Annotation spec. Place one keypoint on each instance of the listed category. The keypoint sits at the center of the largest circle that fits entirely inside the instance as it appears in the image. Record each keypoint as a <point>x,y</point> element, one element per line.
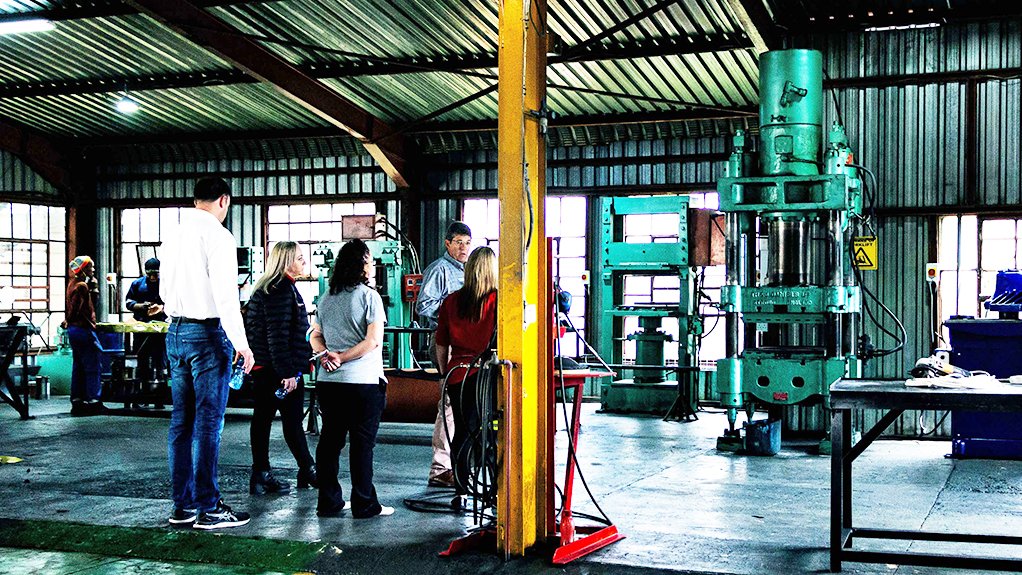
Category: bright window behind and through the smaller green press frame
<point>657,228</point>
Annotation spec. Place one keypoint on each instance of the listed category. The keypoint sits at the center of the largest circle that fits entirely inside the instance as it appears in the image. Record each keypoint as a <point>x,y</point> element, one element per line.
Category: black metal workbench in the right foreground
<point>895,398</point>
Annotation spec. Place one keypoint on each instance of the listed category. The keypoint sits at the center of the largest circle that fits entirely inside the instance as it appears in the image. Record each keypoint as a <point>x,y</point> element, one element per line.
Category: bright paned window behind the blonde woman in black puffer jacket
<point>310,225</point>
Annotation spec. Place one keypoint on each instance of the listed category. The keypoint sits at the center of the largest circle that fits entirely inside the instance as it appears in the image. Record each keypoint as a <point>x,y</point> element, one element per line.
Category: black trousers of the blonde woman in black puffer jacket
<point>292,408</point>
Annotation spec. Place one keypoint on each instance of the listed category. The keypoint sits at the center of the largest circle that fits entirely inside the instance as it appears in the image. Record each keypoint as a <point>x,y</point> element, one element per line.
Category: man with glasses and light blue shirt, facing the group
<point>440,279</point>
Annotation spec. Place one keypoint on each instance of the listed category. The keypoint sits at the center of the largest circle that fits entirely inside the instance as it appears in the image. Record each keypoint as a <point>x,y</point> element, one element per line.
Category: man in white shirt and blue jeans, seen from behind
<point>201,295</point>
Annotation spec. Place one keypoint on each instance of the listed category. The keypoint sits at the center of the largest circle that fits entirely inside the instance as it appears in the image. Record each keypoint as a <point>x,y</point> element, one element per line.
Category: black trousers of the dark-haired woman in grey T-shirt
<point>352,412</point>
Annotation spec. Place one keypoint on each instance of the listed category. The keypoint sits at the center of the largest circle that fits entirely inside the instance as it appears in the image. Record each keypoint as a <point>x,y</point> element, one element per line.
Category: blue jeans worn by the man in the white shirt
<point>200,358</point>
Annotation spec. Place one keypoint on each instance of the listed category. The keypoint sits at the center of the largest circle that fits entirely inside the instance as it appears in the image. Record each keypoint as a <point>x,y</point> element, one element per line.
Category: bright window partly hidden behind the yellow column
<point>567,225</point>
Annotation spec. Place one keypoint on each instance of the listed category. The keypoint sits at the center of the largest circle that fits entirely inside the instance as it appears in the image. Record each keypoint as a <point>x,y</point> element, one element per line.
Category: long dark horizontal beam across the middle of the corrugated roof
<point>662,47</point>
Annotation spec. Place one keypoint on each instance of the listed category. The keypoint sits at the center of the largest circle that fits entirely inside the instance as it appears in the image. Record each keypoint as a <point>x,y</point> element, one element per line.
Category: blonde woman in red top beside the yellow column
<point>467,324</point>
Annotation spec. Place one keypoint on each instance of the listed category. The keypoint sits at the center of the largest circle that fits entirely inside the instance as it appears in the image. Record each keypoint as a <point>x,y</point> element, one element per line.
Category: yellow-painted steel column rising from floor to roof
<point>525,304</point>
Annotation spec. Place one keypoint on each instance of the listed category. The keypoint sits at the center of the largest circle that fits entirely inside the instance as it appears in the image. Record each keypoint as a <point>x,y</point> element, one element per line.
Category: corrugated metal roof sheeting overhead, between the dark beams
<point>327,33</point>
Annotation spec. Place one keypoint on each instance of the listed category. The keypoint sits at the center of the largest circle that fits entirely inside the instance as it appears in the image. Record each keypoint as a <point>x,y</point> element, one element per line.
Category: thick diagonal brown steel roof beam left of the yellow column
<point>390,150</point>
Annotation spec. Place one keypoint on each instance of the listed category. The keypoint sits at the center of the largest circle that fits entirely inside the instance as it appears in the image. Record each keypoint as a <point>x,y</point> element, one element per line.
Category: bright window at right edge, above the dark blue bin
<point>971,251</point>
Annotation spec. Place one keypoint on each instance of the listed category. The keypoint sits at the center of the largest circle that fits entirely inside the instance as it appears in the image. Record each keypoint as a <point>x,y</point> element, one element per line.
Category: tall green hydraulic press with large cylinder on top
<point>791,300</point>
